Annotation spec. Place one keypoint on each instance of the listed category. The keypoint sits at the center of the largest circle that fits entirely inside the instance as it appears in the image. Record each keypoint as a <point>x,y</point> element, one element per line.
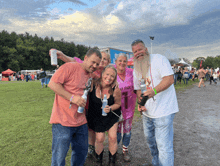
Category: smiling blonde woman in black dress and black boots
<point>99,123</point>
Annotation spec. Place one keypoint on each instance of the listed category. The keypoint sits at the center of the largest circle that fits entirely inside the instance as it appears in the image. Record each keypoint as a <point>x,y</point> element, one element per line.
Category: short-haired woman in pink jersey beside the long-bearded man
<point>128,102</point>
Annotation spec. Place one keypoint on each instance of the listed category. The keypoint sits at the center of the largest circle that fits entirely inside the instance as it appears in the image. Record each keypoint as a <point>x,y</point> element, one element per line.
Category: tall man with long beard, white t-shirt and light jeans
<point>161,106</point>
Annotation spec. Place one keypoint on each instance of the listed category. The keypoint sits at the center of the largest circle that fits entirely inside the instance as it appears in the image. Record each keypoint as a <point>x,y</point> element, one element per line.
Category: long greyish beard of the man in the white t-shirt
<point>141,67</point>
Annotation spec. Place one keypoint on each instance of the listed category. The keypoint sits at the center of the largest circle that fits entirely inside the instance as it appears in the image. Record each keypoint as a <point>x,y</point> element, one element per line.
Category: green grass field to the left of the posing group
<point>25,135</point>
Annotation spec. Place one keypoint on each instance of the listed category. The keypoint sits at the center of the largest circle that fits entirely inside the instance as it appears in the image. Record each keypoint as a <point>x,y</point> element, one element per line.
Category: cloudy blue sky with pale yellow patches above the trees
<point>181,28</point>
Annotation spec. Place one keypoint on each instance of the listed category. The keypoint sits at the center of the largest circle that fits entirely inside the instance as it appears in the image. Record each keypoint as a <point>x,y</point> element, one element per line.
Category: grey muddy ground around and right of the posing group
<point>196,131</point>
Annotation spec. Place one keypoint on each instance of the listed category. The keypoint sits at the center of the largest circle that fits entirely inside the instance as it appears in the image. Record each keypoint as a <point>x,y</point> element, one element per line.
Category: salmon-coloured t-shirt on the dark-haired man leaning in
<point>73,78</point>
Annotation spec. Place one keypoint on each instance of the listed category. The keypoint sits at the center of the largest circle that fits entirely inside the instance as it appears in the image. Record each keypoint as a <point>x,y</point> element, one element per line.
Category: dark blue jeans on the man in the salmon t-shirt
<point>62,137</point>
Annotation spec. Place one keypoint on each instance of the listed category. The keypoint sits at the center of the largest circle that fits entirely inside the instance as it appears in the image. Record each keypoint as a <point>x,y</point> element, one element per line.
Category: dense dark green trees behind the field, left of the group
<point>27,52</point>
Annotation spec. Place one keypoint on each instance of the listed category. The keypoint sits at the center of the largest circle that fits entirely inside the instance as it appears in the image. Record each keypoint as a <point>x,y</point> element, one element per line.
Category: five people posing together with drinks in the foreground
<point>86,131</point>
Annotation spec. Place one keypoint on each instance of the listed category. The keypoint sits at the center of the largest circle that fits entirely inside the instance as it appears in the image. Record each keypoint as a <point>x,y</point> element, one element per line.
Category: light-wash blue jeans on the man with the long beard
<point>159,135</point>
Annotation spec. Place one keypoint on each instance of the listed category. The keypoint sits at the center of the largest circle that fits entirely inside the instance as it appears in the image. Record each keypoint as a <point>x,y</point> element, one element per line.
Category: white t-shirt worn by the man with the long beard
<point>165,102</point>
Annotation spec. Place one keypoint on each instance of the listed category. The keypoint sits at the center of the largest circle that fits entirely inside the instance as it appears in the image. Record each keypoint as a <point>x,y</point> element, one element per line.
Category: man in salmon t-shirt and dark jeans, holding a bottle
<point>69,126</point>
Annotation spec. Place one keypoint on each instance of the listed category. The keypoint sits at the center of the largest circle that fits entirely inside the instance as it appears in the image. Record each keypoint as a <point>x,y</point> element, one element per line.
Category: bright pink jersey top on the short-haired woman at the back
<point>128,98</point>
